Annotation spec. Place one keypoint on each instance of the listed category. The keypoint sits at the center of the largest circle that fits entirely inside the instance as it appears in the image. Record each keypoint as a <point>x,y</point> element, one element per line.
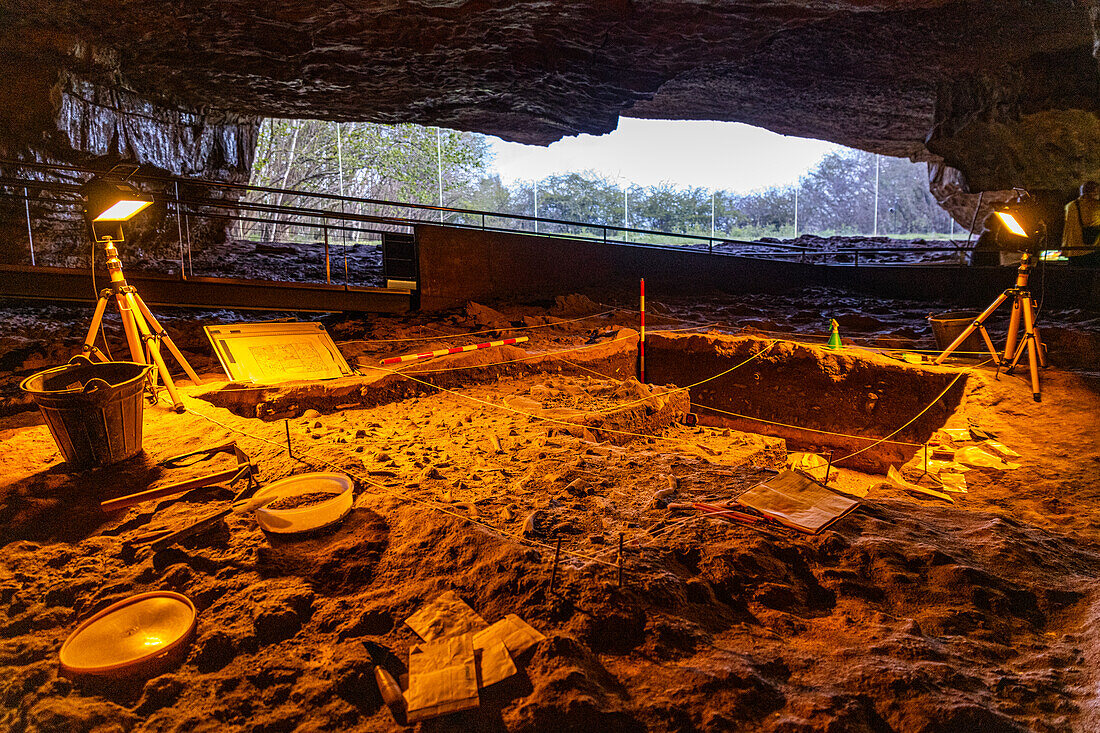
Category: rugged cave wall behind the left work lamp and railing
<point>52,115</point>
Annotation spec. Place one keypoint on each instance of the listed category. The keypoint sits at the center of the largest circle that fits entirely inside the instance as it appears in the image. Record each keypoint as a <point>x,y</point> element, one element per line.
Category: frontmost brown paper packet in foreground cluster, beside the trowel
<point>443,679</point>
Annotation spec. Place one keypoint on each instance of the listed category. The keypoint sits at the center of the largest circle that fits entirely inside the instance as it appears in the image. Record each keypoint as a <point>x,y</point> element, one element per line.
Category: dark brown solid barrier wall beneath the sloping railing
<point>470,265</point>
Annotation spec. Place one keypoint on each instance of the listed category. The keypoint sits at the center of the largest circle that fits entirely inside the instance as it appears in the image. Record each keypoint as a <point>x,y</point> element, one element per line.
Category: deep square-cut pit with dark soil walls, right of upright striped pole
<point>817,389</point>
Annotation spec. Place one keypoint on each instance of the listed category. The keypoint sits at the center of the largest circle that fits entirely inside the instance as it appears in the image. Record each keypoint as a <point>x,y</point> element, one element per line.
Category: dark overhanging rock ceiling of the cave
<point>1004,91</point>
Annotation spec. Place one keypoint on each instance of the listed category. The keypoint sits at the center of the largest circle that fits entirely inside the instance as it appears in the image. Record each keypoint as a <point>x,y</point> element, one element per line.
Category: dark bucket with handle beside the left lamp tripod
<point>94,410</point>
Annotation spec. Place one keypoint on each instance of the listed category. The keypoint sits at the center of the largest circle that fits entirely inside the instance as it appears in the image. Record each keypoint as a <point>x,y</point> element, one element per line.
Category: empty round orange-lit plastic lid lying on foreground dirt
<point>135,637</point>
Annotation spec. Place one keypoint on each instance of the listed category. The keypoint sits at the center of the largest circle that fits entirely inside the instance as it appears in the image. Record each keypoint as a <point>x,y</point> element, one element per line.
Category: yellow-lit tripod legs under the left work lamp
<point>137,323</point>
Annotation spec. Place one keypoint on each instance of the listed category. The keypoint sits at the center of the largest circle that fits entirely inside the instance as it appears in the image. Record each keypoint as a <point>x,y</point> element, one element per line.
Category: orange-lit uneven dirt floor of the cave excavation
<point>911,614</point>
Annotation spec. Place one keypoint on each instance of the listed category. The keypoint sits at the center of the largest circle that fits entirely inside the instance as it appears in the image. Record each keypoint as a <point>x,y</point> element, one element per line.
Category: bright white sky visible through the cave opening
<point>717,156</point>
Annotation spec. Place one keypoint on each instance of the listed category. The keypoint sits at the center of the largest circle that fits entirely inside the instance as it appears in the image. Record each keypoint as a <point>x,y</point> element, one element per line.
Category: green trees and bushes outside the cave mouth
<point>400,163</point>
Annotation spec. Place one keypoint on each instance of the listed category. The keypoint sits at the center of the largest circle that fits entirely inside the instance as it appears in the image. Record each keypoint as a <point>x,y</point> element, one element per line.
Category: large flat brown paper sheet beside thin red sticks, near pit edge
<point>798,502</point>
